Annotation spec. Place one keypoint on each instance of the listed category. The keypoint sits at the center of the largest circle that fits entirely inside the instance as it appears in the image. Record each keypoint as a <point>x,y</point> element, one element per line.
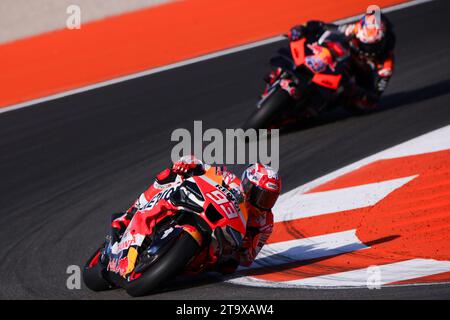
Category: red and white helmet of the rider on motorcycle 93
<point>261,186</point>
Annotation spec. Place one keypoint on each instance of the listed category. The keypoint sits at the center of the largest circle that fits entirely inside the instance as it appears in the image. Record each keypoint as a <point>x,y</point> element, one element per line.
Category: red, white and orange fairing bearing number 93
<point>210,192</point>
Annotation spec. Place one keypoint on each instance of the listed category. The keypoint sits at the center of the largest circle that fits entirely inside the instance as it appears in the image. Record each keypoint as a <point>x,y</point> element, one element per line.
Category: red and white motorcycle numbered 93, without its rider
<point>185,228</point>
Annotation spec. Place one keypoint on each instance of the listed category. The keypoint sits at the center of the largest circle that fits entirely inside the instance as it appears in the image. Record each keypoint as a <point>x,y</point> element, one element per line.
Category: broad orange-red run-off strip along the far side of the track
<point>140,40</point>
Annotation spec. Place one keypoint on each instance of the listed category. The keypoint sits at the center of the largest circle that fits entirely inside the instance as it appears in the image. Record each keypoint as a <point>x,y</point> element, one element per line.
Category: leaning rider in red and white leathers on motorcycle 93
<point>259,189</point>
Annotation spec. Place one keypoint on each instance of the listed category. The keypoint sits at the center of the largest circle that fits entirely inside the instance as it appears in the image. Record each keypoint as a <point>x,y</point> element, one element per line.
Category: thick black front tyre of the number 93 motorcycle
<point>168,266</point>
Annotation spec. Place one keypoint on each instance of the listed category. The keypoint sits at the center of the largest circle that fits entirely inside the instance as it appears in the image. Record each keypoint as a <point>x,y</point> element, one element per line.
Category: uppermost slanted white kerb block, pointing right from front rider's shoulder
<point>319,203</point>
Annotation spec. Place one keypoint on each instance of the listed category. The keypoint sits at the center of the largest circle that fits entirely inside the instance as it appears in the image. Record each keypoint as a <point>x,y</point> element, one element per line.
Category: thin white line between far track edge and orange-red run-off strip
<point>184,63</point>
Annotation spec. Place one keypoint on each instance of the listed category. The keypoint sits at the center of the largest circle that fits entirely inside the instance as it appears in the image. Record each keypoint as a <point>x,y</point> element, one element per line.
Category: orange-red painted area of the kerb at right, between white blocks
<point>411,222</point>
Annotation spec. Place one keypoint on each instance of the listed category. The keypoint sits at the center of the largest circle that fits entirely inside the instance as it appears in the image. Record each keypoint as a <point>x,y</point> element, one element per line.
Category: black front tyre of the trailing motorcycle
<point>269,111</point>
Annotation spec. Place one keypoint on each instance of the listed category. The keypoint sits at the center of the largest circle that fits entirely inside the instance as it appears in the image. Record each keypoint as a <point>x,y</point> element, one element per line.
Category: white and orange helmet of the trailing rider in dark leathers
<point>370,34</point>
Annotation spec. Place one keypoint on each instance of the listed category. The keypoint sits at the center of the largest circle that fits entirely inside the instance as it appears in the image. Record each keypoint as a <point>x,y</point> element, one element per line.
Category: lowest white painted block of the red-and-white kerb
<point>389,273</point>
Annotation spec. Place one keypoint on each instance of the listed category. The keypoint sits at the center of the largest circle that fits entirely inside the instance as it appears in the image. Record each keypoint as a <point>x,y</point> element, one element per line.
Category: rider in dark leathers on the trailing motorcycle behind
<point>372,46</point>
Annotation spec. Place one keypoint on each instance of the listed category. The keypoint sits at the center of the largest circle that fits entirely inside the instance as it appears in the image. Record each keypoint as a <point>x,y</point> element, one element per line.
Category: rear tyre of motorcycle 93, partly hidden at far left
<point>94,274</point>
